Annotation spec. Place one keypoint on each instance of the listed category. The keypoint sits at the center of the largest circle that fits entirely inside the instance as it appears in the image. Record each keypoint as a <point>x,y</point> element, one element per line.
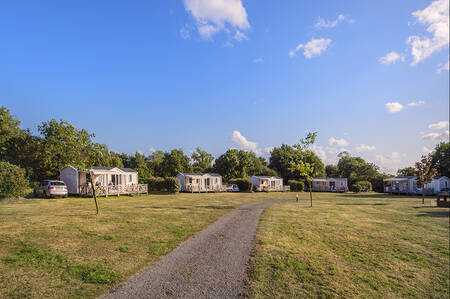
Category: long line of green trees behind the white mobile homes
<point>60,144</point>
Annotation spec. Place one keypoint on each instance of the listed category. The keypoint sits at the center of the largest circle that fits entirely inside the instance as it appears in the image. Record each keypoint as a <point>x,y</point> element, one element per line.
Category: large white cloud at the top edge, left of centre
<point>218,15</point>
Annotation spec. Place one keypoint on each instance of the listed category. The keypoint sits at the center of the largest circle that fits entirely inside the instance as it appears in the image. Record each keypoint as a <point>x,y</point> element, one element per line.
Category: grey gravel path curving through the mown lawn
<point>210,265</point>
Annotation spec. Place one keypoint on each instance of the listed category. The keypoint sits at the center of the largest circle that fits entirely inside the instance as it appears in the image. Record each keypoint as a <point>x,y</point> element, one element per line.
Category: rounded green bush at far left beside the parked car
<point>12,180</point>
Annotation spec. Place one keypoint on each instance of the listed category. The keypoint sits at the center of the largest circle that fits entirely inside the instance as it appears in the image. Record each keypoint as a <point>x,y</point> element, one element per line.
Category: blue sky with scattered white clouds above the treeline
<point>254,74</point>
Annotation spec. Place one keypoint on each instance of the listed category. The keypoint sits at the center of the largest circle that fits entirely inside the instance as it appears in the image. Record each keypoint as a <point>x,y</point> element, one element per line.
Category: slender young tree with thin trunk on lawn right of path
<point>303,167</point>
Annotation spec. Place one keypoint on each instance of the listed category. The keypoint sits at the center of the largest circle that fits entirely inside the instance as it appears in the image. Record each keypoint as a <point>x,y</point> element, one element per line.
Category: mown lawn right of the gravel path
<point>366,246</point>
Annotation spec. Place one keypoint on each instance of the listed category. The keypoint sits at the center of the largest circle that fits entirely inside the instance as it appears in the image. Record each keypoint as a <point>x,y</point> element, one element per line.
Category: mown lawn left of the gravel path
<point>59,248</point>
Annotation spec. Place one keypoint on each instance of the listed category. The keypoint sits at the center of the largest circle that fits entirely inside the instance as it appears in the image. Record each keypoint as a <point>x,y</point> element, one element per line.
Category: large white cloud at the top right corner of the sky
<point>436,17</point>
